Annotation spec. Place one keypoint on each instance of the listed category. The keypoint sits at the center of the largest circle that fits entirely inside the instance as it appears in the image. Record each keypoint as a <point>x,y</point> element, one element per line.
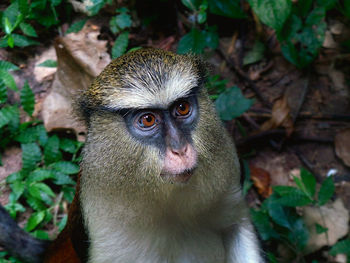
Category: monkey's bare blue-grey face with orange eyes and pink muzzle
<point>170,130</point>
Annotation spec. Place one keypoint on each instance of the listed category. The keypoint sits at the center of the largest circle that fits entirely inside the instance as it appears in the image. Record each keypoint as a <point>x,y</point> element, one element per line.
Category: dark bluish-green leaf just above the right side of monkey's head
<point>194,41</point>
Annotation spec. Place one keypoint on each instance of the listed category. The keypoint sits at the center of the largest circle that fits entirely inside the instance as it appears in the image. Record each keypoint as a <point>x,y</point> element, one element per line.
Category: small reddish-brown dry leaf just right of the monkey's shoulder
<point>262,181</point>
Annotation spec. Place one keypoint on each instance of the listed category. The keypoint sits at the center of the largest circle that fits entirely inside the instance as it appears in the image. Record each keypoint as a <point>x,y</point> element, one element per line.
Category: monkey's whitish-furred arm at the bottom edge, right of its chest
<point>242,245</point>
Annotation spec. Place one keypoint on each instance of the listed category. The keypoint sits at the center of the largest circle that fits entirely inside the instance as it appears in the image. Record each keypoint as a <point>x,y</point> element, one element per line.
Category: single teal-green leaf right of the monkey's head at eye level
<point>231,104</point>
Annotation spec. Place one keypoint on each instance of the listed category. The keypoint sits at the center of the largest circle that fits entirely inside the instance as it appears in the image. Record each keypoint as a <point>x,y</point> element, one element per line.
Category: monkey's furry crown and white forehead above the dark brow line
<point>146,78</point>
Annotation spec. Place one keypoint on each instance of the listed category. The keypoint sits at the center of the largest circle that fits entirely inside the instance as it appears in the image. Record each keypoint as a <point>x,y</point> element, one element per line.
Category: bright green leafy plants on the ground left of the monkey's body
<point>48,162</point>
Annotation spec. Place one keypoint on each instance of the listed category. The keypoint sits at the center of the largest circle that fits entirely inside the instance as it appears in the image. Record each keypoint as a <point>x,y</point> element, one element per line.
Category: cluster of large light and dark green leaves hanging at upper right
<point>300,26</point>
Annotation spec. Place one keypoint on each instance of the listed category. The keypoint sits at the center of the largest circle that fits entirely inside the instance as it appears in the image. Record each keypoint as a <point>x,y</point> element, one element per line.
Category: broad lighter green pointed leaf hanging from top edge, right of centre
<point>272,12</point>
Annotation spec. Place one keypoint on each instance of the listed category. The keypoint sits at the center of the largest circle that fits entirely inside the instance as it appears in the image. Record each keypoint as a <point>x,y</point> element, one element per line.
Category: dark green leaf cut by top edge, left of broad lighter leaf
<point>229,8</point>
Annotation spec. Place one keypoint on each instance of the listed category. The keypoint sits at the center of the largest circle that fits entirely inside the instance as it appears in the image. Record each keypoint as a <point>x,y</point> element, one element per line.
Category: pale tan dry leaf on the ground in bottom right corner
<point>333,216</point>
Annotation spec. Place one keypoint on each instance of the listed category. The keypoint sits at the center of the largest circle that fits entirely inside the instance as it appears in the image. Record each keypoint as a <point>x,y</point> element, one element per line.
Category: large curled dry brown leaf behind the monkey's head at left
<point>80,58</point>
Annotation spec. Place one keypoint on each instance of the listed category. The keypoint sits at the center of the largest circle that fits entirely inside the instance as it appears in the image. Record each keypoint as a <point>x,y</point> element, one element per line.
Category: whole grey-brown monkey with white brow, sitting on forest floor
<point>160,178</point>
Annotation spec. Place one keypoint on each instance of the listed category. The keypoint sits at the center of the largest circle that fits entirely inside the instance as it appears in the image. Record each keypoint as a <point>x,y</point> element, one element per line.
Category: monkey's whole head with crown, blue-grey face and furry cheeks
<point>151,122</point>
